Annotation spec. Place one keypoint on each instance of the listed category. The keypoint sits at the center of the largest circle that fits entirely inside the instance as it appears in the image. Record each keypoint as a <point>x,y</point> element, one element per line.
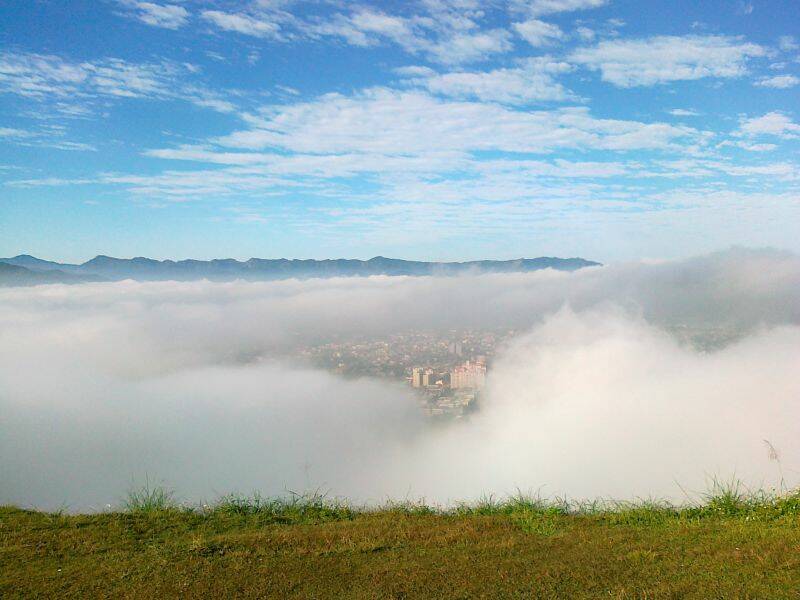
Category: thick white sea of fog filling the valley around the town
<point>187,384</point>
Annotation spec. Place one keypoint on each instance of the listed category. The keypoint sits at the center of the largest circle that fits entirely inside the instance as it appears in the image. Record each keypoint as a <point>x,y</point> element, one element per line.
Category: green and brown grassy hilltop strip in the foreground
<point>732,544</point>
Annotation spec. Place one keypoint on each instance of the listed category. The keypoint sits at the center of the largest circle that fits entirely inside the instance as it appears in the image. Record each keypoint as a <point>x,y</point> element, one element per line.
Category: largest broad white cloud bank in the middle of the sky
<point>413,122</point>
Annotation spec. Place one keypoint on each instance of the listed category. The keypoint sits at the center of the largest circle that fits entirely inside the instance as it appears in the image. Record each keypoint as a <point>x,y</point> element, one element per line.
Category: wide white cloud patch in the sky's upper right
<point>662,59</point>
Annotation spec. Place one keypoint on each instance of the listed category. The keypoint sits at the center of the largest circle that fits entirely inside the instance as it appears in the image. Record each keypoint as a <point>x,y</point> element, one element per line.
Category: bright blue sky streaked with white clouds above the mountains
<point>438,129</point>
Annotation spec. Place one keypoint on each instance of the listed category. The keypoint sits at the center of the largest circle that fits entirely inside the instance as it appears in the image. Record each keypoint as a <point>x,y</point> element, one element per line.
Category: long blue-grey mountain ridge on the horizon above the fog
<point>29,270</point>
